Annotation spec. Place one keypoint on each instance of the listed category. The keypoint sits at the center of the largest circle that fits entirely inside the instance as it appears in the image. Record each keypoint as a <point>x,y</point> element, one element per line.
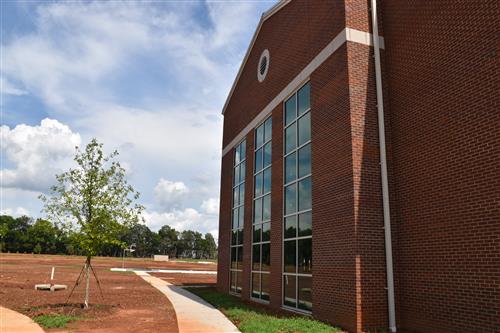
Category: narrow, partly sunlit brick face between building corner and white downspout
<point>371,298</point>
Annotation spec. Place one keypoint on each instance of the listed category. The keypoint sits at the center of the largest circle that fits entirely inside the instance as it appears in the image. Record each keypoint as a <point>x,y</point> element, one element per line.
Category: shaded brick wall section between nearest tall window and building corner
<point>334,275</point>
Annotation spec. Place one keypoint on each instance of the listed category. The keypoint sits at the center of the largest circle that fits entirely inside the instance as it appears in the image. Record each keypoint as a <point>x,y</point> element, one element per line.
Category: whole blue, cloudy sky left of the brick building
<point>148,79</point>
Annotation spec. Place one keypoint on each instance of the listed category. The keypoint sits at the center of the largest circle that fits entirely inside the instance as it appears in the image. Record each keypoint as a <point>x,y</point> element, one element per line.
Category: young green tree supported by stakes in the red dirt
<point>94,202</point>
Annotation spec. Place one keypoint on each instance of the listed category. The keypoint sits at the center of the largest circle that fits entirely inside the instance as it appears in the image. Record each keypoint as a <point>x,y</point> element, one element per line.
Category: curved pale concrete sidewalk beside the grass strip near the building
<point>194,315</point>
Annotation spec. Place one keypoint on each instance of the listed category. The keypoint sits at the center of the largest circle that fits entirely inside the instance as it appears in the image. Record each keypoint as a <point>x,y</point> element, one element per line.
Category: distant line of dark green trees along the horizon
<point>26,235</point>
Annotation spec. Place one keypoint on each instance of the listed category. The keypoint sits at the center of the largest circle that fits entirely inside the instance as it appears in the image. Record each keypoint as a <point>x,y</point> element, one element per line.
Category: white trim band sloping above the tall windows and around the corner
<point>348,34</point>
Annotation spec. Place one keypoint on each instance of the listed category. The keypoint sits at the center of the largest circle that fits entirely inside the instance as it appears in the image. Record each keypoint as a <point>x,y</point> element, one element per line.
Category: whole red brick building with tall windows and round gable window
<point>305,197</point>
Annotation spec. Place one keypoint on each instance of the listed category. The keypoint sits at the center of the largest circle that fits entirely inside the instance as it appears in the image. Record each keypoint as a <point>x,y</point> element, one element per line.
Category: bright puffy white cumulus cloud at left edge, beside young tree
<point>38,152</point>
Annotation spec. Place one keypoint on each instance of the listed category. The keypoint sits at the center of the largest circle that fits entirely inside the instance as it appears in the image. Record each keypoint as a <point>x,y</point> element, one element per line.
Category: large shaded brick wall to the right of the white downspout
<point>442,72</point>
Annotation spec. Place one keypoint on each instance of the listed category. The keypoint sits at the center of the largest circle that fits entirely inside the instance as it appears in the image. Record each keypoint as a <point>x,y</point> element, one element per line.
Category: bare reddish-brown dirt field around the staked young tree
<point>129,303</point>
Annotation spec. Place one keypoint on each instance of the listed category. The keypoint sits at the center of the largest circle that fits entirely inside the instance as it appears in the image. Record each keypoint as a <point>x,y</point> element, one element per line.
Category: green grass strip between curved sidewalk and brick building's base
<point>254,319</point>
